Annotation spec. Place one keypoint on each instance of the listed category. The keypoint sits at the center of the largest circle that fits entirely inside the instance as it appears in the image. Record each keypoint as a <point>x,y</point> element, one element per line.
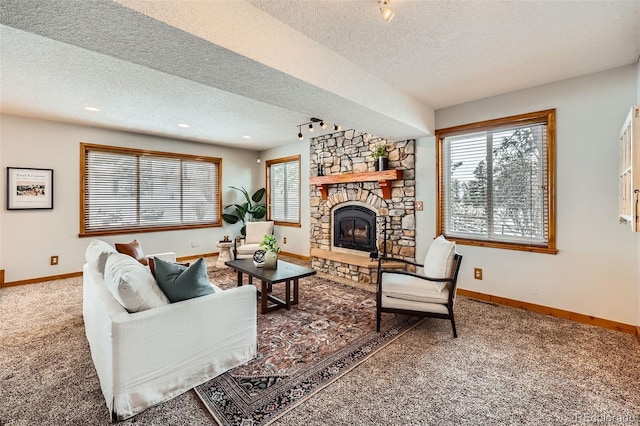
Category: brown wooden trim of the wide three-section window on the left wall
<point>85,147</point>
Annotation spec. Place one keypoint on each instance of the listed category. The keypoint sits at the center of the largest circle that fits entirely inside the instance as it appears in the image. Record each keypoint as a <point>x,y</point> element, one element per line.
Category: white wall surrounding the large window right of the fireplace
<point>596,270</point>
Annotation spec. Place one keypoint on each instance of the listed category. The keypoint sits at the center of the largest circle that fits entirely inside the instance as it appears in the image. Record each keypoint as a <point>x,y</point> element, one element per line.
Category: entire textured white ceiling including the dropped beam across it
<point>260,68</point>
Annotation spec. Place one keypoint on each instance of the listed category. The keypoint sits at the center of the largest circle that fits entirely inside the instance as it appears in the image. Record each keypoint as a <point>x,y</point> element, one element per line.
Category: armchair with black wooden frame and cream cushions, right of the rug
<point>431,292</point>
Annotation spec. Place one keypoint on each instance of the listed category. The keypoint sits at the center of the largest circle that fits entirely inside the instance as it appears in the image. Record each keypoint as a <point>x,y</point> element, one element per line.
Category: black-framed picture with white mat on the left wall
<point>29,188</point>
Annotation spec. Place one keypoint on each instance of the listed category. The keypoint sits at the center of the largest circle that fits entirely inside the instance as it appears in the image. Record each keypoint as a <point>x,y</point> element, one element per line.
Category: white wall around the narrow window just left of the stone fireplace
<point>297,237</point>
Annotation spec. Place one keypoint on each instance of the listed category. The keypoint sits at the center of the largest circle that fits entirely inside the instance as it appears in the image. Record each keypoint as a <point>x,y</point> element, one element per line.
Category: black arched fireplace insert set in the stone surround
<point>354,227</point>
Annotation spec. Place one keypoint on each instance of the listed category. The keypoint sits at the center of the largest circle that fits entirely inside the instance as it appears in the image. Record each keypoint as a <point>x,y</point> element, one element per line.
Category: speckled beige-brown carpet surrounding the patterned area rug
<point>507,367</point>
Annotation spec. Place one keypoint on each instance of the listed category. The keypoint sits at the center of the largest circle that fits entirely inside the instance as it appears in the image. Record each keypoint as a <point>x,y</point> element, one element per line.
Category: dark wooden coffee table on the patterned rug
<point>285,273</point>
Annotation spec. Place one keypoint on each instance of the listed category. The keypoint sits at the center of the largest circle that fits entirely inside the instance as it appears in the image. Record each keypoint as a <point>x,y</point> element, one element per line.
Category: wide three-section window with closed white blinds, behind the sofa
<point>126,190</point>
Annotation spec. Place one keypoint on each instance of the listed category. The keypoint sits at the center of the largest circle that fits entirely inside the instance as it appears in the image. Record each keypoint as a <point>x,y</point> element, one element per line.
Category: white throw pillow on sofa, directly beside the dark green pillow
<point>132,284</point>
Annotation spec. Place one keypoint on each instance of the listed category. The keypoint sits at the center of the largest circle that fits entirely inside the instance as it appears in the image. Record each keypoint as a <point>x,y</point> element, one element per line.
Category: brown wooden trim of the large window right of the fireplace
<point>544,116</point>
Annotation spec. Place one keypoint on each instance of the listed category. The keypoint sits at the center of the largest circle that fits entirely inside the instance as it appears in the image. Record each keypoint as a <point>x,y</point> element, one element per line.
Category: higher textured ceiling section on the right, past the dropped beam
<point>448,52</point>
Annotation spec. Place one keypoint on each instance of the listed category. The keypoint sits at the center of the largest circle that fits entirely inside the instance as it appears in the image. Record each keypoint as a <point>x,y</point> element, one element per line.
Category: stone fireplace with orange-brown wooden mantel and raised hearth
<point>351,203</point>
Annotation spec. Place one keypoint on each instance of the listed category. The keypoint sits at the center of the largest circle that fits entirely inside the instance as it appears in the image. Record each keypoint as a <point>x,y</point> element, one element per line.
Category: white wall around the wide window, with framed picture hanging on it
<point>30,237</point>
